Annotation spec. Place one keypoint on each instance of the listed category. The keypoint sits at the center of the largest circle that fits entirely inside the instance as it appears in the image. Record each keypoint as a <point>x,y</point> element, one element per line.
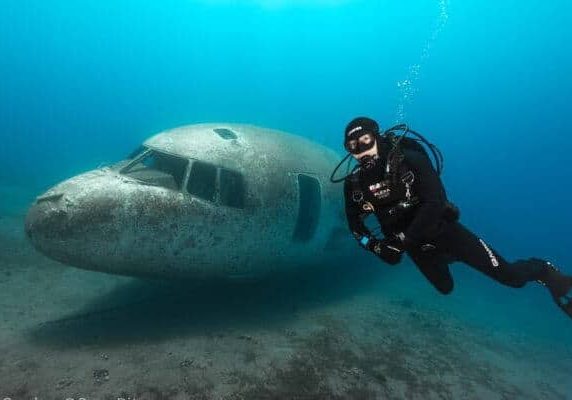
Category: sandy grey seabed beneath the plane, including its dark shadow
<point>333,333</point>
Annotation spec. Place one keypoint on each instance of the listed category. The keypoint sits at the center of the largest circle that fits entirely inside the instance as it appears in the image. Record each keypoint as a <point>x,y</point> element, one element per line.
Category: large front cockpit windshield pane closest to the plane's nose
<point>159,169</point>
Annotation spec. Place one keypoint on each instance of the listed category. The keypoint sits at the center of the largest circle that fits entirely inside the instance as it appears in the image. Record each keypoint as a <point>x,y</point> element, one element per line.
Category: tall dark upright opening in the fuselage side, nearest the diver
<point>310,202</point>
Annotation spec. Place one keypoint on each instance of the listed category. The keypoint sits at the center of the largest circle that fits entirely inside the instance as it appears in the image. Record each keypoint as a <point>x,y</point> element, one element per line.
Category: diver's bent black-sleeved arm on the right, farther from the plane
<point>431,193</point>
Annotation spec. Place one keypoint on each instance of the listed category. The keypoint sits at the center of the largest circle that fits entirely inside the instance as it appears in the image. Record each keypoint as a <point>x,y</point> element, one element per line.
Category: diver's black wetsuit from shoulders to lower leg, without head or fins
<point>425,217</point>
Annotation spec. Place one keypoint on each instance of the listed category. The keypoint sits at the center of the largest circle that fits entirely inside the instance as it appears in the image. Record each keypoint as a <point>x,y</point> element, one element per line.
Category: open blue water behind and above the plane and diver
<point>84,82</point>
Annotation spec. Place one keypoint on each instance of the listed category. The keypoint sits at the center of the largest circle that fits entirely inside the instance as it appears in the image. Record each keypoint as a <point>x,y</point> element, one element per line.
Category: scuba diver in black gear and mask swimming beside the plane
<point>396,181</point>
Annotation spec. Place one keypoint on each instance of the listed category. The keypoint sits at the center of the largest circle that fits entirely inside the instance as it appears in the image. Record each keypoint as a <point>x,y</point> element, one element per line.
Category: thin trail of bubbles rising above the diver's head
<point>407,87</point>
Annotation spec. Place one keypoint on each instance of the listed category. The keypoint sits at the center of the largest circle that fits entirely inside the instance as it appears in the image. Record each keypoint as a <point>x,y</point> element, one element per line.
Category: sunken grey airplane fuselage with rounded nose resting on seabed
<point>199,201</point>
